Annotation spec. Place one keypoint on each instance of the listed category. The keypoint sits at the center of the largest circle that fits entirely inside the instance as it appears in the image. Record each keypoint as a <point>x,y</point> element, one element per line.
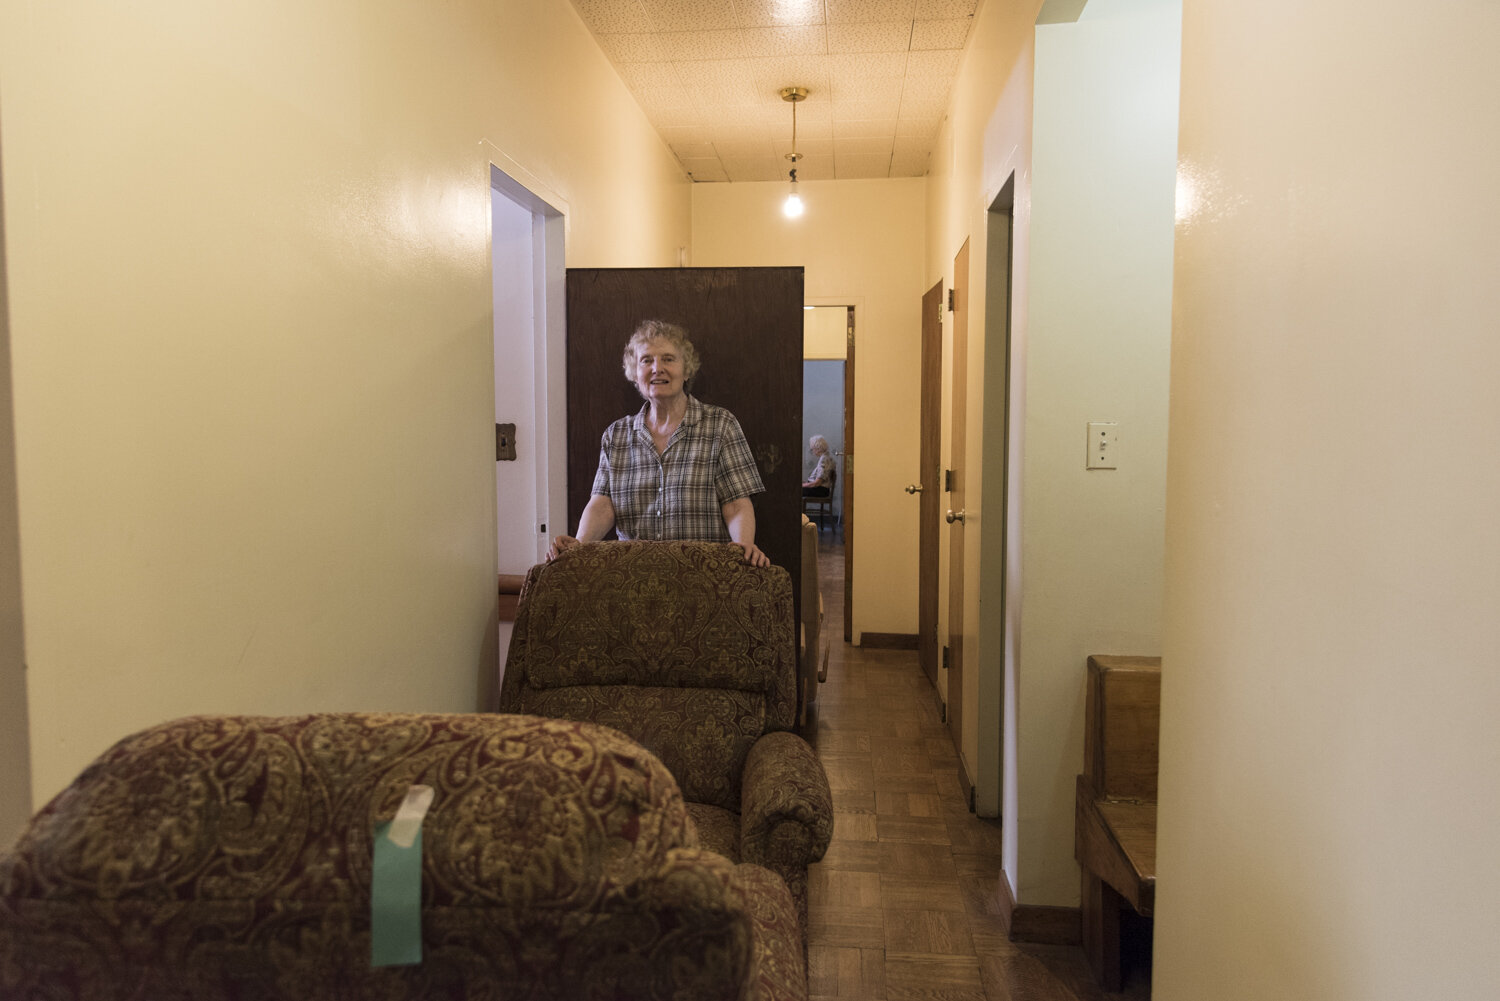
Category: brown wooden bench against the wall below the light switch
<point>1115,835</point>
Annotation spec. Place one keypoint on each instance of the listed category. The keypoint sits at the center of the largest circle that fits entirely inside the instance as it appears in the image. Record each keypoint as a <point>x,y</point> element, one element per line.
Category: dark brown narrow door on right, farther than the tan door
<point>929,484</point>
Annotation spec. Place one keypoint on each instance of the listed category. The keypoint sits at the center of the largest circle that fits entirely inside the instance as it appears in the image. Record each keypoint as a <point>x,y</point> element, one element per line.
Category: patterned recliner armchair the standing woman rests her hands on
<point>691,652</point>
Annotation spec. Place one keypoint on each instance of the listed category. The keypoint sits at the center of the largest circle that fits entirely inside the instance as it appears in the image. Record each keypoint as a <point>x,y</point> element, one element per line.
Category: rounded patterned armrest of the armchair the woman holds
<point>787,810</point>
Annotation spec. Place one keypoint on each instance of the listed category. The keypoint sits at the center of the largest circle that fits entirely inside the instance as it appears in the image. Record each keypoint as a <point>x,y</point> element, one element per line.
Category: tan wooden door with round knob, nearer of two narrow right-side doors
<point>956,493</point>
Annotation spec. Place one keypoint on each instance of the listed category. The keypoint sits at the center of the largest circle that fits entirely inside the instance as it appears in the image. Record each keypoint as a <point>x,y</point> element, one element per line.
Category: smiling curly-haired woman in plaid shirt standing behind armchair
<point>679,469</point>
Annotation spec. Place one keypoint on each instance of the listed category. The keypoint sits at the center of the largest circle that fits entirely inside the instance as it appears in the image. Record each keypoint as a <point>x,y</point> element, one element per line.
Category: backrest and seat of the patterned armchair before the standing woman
<point>679,645</point>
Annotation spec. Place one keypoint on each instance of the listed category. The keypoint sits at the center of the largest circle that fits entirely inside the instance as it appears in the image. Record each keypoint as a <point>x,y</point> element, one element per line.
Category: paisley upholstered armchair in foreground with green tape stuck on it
<point>230,858</point>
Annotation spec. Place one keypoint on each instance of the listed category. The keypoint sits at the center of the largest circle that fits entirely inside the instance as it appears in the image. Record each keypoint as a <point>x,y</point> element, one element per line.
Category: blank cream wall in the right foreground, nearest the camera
<point>1330,754</point>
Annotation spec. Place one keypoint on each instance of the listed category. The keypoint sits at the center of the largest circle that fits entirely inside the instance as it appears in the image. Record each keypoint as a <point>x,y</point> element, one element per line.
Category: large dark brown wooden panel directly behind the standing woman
<point>748,328</point>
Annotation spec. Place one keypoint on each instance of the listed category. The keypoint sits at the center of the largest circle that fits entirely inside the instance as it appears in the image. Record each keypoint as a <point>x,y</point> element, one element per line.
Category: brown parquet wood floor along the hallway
<point>905,904</point>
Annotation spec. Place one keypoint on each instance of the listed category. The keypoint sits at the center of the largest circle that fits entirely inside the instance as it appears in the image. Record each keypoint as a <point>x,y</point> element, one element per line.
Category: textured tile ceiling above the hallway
<point>710,76</point>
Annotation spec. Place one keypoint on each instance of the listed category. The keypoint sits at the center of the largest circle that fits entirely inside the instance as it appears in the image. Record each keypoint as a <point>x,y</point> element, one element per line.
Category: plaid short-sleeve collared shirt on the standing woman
<point>677,494</point>
